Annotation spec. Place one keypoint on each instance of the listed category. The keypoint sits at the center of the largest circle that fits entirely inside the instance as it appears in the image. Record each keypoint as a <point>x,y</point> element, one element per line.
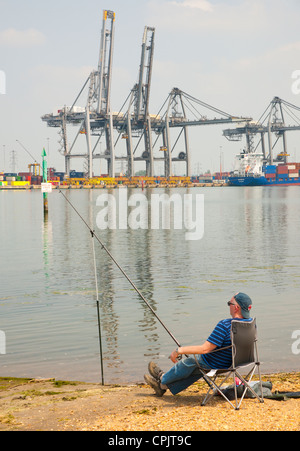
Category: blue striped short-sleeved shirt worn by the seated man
<point>221,338</point>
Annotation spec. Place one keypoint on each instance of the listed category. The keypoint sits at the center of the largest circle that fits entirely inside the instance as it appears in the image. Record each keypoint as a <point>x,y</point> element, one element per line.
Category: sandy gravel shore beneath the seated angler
<point>49,405</point>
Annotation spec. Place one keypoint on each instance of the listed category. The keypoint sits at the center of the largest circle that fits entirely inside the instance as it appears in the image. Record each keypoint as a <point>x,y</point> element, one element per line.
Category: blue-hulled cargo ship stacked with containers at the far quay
<point>251,170</point>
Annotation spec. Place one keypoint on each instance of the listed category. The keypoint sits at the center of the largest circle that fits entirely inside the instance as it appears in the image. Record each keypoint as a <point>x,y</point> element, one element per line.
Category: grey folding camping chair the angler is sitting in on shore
<point>244,354</point>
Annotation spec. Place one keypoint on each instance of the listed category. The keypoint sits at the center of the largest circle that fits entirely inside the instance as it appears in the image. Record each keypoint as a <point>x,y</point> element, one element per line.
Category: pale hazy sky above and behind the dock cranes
<point>233,54</point>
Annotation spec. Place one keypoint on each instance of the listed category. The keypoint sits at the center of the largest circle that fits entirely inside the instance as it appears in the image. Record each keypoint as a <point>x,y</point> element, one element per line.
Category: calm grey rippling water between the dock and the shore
<point>47,299</point>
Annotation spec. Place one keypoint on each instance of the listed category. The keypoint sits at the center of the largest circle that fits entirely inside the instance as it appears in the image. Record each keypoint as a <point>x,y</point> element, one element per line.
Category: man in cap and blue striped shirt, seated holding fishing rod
<point>181,376</point>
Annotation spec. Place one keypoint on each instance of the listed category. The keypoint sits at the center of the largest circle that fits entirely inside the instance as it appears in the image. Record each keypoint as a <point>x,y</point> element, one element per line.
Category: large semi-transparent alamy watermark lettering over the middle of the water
<point>161,211</point>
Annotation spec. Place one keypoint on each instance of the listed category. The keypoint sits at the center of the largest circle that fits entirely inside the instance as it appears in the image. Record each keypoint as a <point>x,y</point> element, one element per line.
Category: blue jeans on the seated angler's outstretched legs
<point>181,376</point>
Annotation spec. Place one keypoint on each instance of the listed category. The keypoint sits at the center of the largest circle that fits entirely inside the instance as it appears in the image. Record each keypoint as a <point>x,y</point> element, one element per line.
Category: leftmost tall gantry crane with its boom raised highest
<point>98,106</point>
